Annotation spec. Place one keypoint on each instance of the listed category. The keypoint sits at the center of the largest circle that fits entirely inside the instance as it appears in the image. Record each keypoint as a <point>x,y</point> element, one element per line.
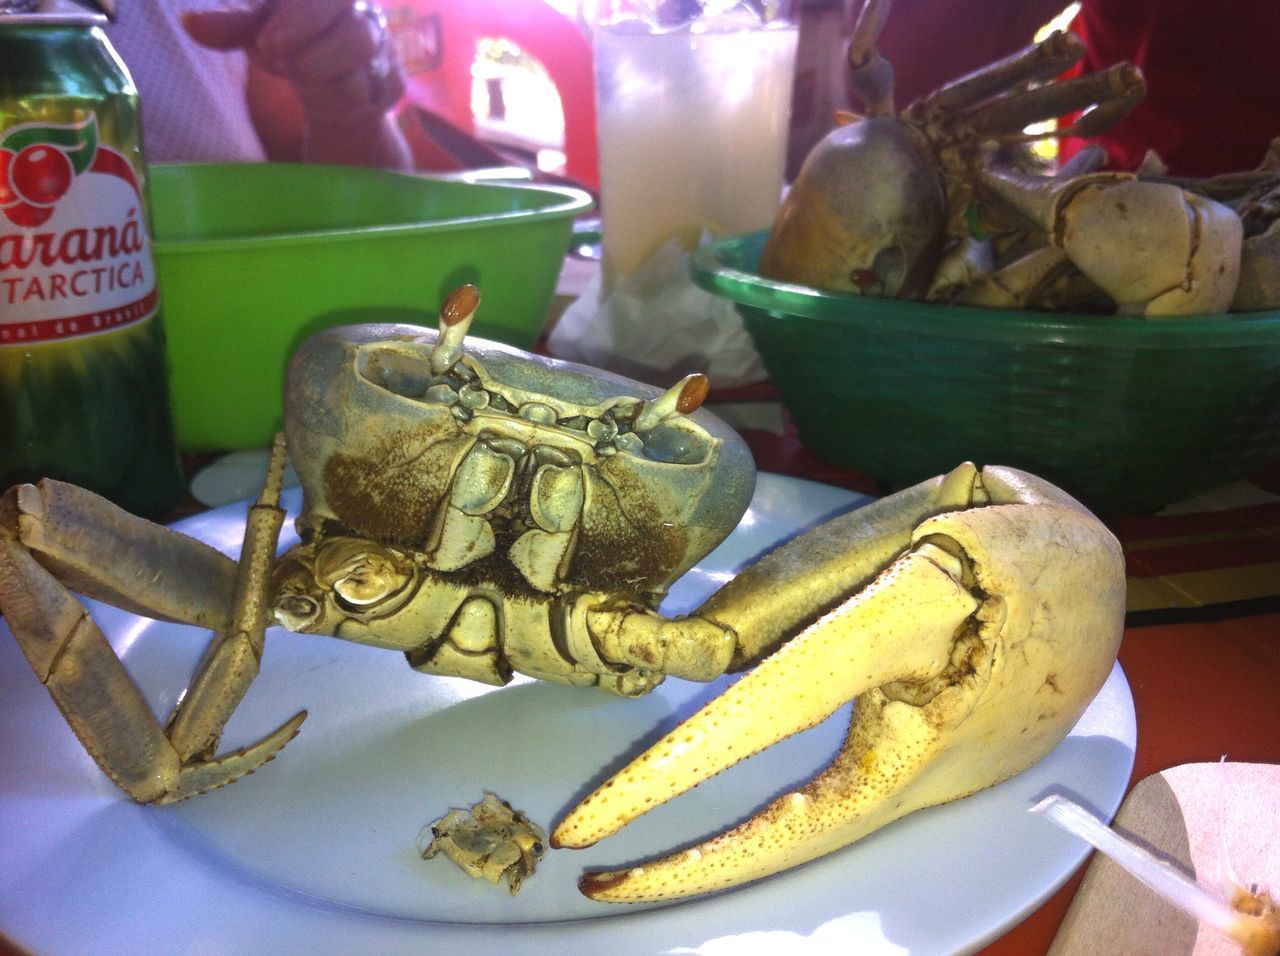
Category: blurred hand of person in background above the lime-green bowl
<point>337,54</point>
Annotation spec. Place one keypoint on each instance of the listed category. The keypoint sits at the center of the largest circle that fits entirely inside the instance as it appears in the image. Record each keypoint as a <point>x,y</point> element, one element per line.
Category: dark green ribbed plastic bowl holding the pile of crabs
<point>1124,414</point>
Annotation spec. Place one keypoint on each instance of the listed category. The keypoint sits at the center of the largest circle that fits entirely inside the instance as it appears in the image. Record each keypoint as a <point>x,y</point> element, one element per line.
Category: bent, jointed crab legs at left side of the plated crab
<point>47,542</point>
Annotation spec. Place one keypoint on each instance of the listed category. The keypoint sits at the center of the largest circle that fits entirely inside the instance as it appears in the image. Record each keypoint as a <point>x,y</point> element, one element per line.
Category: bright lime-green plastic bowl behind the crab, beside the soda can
<point>255,258</point>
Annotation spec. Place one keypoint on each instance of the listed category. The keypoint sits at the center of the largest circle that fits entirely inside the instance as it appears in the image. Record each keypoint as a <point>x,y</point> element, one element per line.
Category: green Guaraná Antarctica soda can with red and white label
<point>84,378</point>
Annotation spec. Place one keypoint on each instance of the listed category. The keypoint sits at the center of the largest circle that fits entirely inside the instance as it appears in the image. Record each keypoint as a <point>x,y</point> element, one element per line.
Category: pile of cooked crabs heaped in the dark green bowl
<point>932,203</point>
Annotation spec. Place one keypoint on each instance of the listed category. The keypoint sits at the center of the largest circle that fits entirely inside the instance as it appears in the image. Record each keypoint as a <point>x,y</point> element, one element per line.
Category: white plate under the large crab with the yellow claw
<point>316,853</point>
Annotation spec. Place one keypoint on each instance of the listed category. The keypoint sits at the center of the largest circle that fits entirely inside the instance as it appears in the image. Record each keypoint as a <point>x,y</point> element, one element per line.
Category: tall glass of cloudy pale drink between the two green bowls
<point>693,132</point>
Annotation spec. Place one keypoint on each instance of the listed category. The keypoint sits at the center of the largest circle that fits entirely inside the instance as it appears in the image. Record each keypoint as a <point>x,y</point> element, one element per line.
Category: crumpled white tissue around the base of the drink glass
<point>657,327</point>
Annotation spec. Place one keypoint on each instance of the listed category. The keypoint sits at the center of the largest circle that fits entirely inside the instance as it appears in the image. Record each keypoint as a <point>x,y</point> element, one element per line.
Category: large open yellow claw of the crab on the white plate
<point>971,656</point>
